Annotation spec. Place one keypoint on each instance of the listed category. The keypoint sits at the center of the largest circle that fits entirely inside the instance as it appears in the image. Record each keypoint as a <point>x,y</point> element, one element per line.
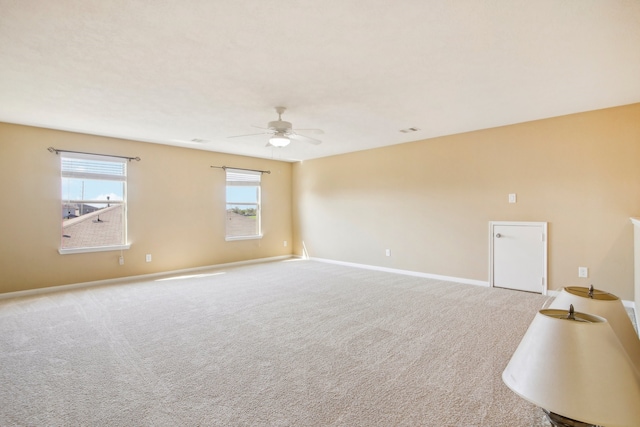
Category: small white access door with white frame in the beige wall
<point>519,256</point>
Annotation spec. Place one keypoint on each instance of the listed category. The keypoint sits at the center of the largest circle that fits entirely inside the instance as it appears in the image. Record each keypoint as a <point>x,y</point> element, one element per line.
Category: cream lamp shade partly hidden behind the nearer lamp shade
<point>605,305</point>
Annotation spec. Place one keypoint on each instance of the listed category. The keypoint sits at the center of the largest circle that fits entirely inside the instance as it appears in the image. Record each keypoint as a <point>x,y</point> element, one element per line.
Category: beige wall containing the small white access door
<point>430,202</point>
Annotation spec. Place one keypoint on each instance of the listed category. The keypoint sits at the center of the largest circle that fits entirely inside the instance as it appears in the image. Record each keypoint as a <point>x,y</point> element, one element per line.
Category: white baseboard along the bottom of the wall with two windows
<point>119,280</point>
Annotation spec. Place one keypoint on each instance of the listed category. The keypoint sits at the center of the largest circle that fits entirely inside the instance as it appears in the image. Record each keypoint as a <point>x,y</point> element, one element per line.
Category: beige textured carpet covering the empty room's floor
<point>295,343</point>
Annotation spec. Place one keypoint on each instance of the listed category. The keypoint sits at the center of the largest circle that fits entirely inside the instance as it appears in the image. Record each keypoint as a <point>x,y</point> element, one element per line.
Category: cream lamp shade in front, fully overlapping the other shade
<point>577,369</point>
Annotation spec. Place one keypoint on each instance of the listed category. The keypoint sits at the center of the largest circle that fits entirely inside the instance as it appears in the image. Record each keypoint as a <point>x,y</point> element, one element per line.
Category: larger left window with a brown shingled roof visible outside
<point>93,203</point>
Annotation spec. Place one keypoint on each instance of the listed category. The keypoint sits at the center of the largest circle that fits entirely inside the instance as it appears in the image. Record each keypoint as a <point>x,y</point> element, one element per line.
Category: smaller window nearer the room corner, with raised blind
<point>243,204</point>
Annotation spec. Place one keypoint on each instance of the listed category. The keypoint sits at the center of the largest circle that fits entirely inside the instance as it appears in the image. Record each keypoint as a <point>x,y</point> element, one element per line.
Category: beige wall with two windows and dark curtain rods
<point>176,210</point>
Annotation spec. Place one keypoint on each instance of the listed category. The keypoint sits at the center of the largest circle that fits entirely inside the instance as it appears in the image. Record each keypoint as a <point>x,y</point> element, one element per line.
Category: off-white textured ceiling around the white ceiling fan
<point>167,71</point>
